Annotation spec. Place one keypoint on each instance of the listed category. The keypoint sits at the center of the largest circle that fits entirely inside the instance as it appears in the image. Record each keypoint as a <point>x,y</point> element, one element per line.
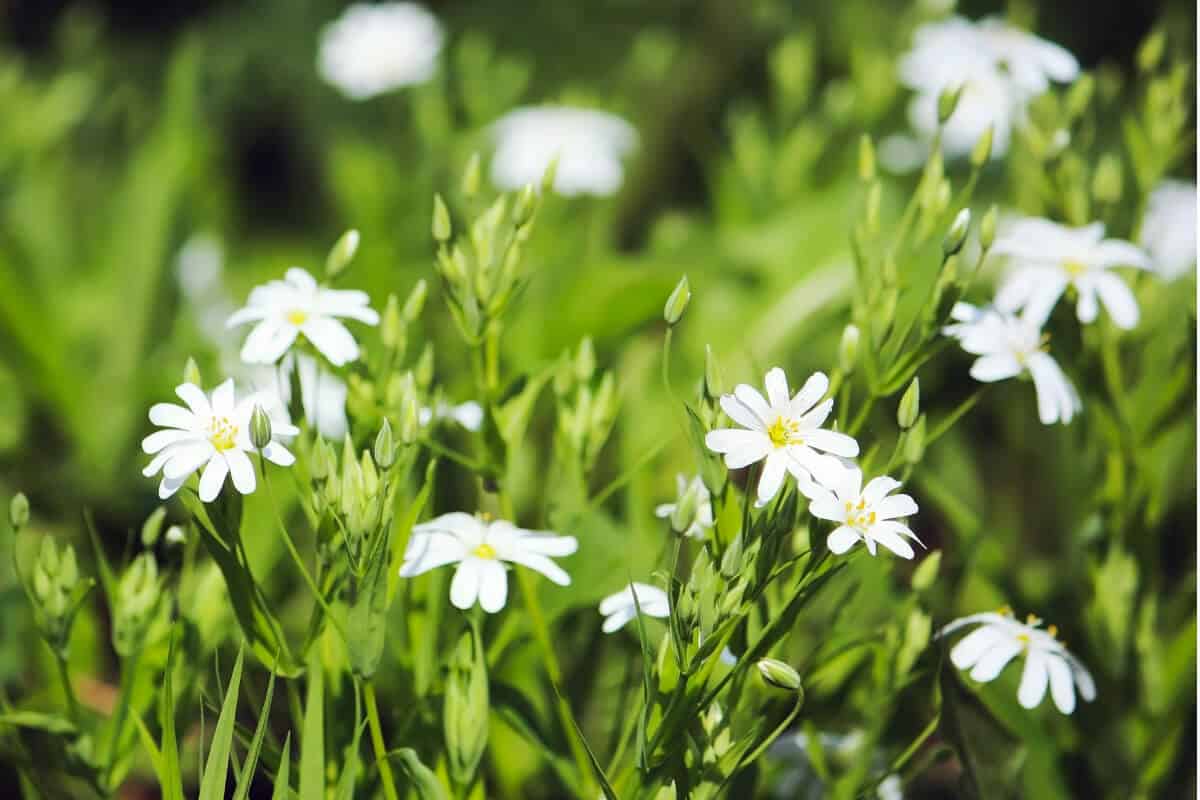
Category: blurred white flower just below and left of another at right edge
<point>1010,346</point>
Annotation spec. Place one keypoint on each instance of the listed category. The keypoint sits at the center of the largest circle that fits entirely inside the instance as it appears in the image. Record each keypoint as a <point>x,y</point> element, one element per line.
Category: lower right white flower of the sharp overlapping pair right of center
<point>869,515</point>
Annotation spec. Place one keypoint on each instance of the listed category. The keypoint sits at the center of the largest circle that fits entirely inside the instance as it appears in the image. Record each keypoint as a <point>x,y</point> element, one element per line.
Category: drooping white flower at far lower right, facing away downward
<point>1000,639</point>
